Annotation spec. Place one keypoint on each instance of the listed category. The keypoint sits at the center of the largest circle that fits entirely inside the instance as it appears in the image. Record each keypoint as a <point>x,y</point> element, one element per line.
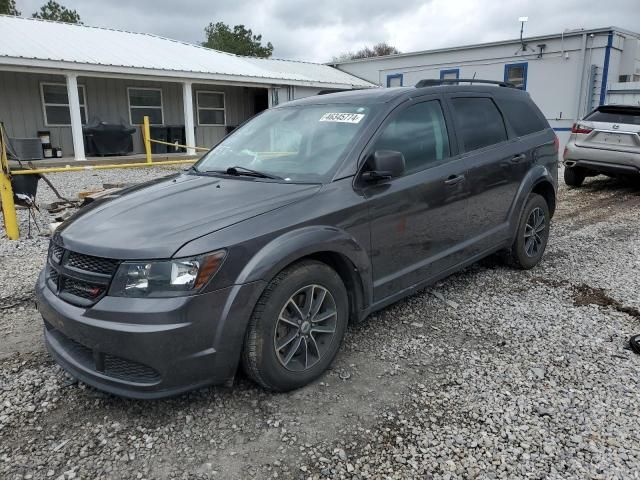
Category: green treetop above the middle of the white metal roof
<point>240,40</point>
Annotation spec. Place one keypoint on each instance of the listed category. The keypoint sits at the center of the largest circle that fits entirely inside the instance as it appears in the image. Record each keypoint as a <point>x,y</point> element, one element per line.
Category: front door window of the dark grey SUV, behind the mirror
<point>420,133</point>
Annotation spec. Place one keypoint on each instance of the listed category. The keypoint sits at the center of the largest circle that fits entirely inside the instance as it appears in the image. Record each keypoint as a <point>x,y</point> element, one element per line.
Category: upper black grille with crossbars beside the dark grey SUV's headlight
<point>77,278</point>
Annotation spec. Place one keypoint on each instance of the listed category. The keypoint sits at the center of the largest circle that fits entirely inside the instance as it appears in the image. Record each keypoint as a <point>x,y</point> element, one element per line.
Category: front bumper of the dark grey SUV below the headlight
<point>149,348</point>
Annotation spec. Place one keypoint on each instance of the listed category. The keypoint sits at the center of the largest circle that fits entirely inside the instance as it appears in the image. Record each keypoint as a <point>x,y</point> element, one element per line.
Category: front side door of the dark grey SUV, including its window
<point>418,220</point>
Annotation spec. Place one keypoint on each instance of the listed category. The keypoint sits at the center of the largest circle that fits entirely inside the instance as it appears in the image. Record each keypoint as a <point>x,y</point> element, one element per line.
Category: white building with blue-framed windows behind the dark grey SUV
<point>567,74</point>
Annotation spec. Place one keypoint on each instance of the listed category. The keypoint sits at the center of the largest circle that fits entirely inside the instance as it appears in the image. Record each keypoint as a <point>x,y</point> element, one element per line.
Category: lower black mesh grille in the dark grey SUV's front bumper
<point>105,363</point>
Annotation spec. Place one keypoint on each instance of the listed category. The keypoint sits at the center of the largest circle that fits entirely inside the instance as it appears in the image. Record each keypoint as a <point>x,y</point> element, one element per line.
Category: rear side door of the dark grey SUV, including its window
<point>496,166</point>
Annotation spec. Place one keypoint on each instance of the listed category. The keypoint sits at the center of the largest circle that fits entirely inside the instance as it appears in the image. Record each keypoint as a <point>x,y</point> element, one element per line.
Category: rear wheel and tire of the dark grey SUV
<point>529,245</point>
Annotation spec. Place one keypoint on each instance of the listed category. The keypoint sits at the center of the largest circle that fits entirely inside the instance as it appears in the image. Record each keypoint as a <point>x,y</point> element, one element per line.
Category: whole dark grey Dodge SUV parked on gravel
<point>311,215</point>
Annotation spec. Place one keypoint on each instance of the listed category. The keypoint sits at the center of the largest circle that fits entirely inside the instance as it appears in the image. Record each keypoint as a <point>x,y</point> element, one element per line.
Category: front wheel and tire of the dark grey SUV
<point>276,327</point>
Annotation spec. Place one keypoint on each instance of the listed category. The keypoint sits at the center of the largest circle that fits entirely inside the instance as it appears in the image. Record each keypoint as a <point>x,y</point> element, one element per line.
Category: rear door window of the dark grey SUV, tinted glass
<point>479,121</point>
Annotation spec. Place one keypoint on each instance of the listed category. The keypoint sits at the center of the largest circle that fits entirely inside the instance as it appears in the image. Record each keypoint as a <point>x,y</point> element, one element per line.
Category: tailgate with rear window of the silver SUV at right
<point>612,127</point>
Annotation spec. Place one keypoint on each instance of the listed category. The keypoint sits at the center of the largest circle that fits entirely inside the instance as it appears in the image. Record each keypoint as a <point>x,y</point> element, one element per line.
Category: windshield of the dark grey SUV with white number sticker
<point>292,144</point>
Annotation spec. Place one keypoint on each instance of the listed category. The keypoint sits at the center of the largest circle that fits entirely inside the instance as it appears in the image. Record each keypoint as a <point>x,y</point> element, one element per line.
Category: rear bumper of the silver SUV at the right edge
<point>602,160</point>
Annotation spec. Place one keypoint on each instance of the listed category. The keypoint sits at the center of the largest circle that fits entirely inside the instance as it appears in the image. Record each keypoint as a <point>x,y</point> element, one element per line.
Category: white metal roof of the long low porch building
<point>27,42</point>
